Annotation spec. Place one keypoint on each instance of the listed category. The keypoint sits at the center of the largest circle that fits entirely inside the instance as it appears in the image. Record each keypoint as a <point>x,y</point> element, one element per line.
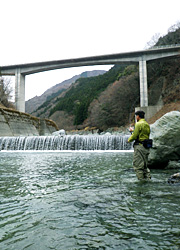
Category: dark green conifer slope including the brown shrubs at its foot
<point>70,108</point>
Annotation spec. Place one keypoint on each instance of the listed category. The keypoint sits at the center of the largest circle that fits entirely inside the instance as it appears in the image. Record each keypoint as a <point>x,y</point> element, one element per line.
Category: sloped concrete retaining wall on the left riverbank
<point>15,123</point>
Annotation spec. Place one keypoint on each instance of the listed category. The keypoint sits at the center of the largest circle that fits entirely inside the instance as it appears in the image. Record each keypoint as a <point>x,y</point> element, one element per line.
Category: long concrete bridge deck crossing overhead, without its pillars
<point>126,57</point>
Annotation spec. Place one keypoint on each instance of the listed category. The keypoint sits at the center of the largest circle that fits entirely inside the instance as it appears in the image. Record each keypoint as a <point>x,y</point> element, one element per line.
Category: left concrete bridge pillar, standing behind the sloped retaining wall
<point>19,91</point>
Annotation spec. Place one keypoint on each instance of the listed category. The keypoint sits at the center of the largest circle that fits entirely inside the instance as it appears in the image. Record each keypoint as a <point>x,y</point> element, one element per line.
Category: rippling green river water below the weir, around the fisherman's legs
<point>84,200</point>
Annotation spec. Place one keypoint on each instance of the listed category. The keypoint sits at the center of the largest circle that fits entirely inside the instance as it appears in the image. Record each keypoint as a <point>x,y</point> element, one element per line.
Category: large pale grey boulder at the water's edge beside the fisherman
<point>165,133</point>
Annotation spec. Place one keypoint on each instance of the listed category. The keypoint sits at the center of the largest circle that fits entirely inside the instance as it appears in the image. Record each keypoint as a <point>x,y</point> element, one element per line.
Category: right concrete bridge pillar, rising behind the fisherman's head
<point>143,83</point>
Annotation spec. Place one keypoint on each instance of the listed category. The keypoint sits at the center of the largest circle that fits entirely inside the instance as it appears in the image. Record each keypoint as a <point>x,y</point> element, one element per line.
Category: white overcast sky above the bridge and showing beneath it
<point>43,30</point>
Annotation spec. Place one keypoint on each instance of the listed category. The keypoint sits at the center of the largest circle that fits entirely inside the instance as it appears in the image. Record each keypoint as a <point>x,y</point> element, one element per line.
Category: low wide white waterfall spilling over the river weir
<point>67,142</point>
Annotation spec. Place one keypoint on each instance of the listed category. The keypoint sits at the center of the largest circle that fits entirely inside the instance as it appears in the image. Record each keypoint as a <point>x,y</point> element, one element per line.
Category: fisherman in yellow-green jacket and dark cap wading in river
<point>141,146</point>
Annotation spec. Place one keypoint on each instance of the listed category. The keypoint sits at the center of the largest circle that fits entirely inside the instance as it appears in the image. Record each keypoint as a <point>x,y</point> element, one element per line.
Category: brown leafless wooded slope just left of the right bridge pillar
<point>114,106</point>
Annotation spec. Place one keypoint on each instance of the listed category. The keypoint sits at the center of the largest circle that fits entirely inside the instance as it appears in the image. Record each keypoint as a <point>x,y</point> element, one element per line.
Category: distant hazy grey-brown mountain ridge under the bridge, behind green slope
<point>34,103</point>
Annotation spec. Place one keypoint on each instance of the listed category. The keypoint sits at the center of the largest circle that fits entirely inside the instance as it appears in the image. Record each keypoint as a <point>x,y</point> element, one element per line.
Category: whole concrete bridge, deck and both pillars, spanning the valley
<point>141,57</point>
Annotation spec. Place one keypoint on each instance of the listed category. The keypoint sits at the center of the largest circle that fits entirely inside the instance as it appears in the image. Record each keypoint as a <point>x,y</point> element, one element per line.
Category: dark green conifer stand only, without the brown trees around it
<point>78,98</point>
